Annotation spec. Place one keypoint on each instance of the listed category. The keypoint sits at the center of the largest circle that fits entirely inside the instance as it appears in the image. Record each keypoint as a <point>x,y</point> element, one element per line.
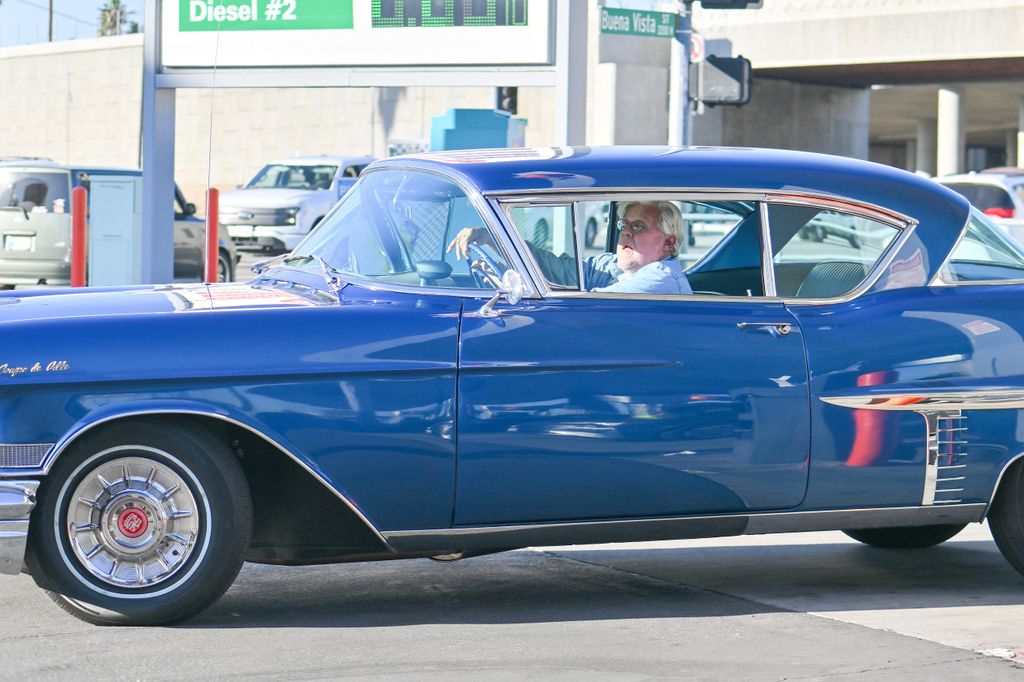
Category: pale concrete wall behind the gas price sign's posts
<point>79,102</point>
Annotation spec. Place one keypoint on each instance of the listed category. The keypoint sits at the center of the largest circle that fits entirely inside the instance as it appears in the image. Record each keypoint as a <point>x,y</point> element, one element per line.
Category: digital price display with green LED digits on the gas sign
<point>399,14</point>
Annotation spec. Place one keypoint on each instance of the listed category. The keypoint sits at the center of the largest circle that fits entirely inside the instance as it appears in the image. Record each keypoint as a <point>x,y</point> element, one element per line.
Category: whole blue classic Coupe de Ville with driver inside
<point>418,379</point>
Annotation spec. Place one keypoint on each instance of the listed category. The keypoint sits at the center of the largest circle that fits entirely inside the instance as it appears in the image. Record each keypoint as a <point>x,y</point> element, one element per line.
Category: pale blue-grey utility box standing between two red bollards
<point>115,231</point>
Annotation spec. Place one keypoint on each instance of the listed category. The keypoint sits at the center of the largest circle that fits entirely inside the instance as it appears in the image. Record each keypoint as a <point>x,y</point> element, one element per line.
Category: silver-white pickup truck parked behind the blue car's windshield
<point>286,199</point>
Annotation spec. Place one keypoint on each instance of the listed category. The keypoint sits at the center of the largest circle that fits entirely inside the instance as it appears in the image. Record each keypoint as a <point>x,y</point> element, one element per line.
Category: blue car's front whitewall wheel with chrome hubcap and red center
<point>141,525</point>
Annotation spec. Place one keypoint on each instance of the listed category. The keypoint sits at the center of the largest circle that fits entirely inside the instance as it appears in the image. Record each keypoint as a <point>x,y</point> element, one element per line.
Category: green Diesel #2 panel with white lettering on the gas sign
<point>264,15</point>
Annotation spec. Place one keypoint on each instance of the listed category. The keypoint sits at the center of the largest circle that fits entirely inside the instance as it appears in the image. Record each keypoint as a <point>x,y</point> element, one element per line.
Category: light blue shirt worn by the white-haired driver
<point>602,274</point>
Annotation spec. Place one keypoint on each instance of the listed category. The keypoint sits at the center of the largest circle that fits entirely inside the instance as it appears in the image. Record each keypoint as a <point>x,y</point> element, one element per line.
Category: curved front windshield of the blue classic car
<point>396,227</point>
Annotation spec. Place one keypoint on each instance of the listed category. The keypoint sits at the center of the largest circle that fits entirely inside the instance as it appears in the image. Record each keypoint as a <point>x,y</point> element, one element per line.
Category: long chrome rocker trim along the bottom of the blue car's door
<point>508,537</point>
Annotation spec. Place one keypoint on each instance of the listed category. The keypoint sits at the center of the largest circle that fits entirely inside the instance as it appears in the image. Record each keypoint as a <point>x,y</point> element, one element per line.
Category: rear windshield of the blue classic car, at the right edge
<point>986,254</point>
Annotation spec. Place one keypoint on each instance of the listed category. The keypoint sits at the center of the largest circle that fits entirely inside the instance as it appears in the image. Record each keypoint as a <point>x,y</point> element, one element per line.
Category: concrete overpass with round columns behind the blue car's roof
<point>945,79</point>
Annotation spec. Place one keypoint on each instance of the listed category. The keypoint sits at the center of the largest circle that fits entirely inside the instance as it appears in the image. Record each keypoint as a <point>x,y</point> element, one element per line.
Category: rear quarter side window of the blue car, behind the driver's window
<point>824,253</point>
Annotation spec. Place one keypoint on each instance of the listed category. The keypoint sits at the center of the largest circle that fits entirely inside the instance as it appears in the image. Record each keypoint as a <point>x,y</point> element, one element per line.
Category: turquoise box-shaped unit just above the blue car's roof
<point>475,130</point>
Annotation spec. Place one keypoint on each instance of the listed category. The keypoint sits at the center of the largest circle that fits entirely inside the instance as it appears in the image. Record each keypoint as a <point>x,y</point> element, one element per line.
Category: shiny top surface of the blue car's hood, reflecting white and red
<point>63,305</point>
